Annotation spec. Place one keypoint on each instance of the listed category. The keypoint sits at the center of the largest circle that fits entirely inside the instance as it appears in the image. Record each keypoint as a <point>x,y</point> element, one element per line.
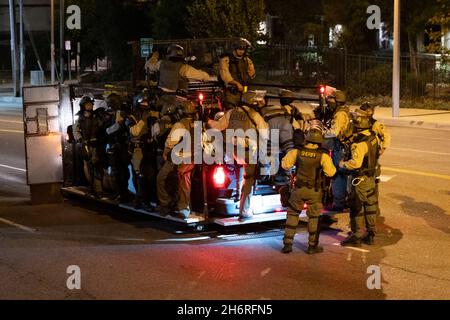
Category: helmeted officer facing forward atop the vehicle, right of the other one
<point>236,70</point>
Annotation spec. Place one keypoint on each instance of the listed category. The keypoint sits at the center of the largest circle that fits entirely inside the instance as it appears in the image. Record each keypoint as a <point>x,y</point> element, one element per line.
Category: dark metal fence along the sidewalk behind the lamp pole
<point>358,74</point>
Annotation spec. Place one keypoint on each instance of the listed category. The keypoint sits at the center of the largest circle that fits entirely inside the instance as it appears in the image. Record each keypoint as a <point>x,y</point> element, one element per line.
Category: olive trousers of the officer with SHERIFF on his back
<point>300,196</point>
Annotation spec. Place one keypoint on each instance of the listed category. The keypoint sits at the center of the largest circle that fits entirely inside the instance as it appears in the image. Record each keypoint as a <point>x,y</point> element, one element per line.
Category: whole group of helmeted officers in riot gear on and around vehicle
<point>143,136</point>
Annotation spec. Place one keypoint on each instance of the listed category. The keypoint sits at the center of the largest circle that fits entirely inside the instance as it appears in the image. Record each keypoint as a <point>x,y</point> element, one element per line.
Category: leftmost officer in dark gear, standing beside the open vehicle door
<point>90,132</point>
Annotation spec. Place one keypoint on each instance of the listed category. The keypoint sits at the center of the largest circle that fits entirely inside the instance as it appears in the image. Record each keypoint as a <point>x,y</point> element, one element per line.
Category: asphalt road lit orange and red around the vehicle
<point>127,256</point>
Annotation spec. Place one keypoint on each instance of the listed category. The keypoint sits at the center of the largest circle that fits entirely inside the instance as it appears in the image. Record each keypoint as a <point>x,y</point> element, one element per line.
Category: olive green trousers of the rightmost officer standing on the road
<point>363,206</point>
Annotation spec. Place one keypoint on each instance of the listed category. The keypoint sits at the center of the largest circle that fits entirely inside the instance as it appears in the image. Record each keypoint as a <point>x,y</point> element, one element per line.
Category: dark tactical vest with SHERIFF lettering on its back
<point>309,168</point>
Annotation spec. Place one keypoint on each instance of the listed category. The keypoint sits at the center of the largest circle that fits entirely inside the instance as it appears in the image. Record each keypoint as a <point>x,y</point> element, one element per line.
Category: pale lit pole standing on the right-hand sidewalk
<point>396,62</point>
